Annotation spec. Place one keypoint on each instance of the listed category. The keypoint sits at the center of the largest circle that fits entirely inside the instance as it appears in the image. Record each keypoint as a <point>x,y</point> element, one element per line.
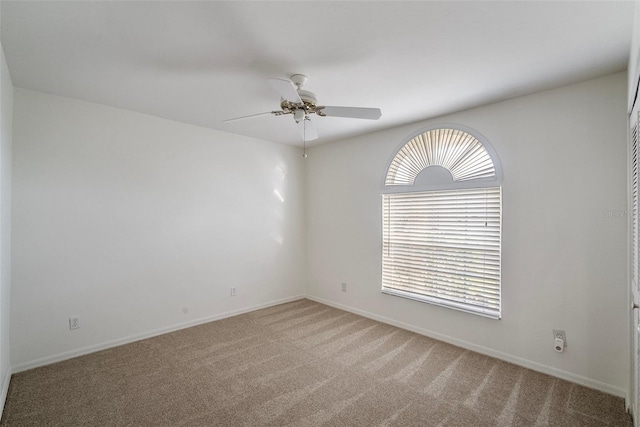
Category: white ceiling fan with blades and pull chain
<point>302,104</point>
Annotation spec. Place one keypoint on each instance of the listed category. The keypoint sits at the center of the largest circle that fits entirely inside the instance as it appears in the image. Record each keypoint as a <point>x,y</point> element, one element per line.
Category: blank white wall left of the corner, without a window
<point>140,225</point>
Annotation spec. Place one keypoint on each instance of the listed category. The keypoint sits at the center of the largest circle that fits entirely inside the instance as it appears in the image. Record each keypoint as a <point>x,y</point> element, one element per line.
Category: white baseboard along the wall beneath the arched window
<point>549,370</point>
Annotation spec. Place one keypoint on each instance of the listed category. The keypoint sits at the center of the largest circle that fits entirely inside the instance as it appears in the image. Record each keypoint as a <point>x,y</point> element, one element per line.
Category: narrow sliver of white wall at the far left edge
<point>6,117</point>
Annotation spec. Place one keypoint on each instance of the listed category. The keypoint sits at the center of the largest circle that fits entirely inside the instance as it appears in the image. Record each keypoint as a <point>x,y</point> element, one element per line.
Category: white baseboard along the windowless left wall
<point>137,337</point>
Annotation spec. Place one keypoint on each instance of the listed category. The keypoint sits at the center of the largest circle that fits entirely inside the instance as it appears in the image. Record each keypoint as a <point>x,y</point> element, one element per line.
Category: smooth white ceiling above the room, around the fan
<point>203,62</point>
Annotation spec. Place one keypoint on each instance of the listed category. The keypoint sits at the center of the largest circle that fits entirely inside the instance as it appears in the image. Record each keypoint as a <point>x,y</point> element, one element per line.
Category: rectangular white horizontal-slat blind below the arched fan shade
<point>443,247</point>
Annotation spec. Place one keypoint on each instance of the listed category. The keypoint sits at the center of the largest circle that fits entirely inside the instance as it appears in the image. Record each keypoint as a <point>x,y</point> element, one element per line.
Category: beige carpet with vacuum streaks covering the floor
<point>299,364</point>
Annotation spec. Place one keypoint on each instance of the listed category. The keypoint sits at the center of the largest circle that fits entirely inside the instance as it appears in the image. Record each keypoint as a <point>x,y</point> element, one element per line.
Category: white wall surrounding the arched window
<point>563,154</point>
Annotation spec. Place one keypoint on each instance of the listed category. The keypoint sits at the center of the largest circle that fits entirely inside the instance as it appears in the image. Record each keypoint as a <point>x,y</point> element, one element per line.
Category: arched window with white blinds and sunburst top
<point>442,221</point>
